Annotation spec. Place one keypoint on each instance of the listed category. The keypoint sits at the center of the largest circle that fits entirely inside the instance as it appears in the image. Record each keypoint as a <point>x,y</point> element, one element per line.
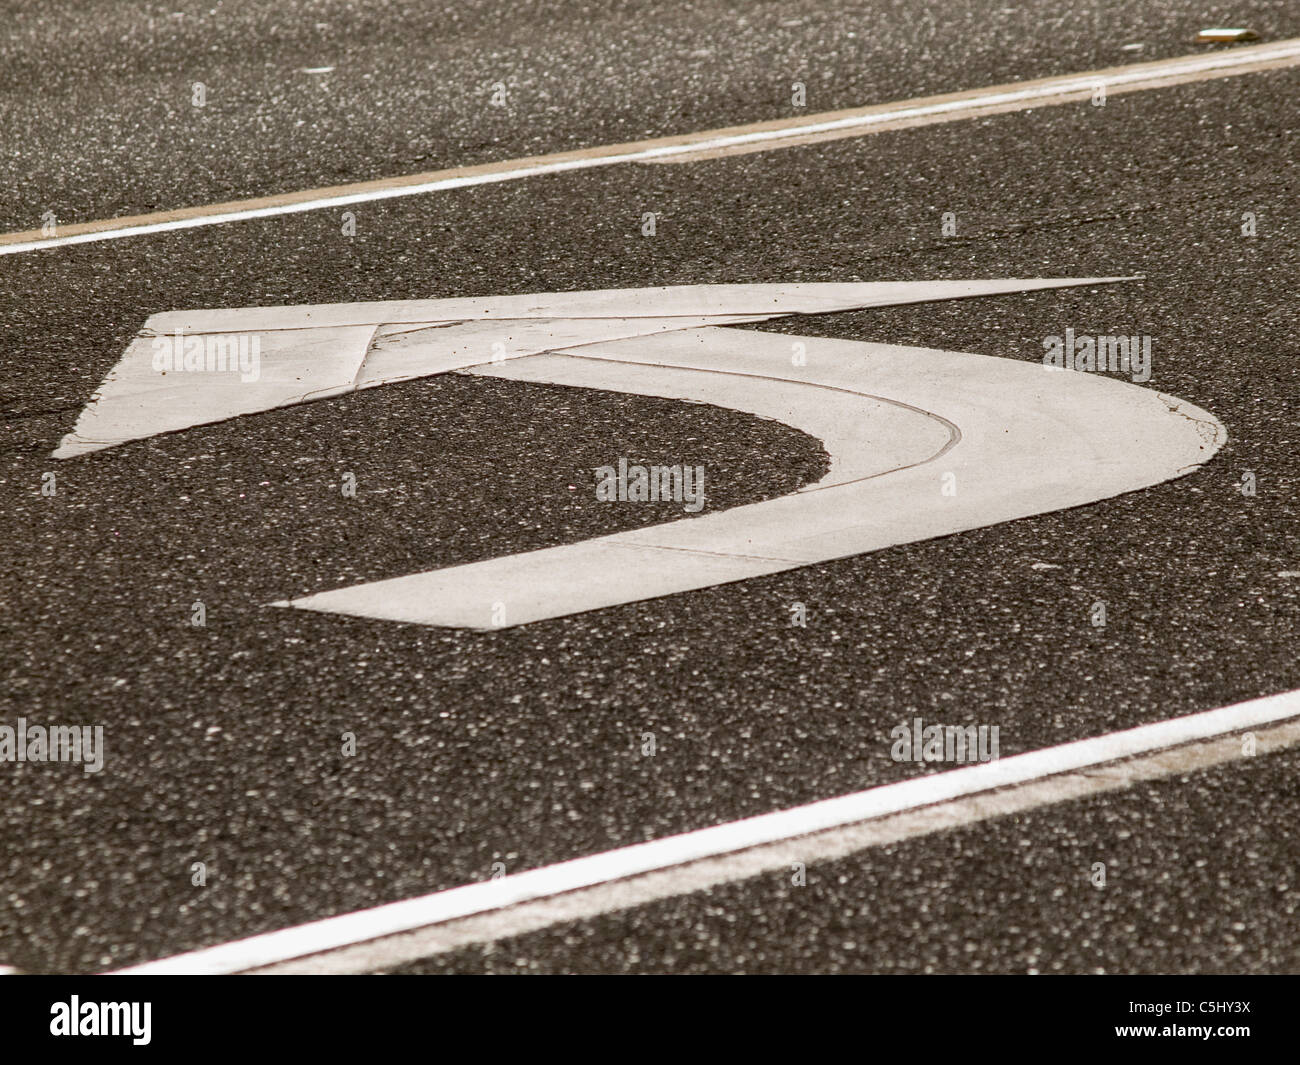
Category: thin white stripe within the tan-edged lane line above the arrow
<point>1039,93</point>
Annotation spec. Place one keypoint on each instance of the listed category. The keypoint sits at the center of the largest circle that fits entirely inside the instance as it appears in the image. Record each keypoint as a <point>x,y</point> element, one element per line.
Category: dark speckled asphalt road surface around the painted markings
<point>488,752</point>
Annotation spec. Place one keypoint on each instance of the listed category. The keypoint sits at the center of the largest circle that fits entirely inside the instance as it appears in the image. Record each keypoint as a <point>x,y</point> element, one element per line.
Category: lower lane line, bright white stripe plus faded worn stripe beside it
<point>584,887</point>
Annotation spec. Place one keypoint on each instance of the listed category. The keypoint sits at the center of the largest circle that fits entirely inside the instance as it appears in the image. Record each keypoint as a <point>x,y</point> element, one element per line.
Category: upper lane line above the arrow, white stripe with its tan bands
<point>1012,97</point>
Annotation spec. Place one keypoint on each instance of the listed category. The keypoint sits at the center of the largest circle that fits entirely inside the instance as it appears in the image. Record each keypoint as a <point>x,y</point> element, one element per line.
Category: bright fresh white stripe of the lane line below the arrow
<point>1099,763</point>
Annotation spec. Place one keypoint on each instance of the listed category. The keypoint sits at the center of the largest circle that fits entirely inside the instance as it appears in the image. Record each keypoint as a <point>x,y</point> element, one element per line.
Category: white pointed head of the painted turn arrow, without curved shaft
<point>317,352</point>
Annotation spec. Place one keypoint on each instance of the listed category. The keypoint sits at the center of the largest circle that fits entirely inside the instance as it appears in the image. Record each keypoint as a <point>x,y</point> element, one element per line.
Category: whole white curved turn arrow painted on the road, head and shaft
<point>922,443</point>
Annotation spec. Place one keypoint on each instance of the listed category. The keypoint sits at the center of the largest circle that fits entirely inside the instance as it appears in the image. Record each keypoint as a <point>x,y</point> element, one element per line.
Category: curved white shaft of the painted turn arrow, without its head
<point>1009,439</point>
